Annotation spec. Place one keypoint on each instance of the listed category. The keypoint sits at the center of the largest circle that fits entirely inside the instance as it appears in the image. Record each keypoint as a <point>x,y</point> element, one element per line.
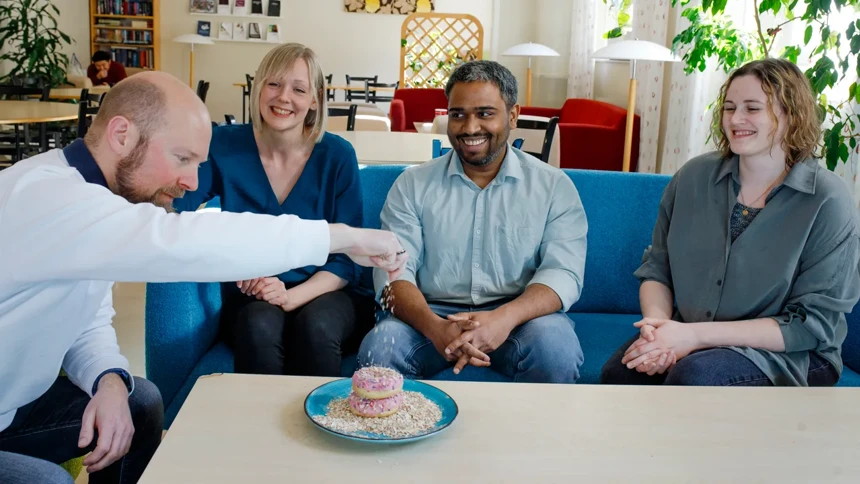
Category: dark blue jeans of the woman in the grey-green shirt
<point>710,367</point>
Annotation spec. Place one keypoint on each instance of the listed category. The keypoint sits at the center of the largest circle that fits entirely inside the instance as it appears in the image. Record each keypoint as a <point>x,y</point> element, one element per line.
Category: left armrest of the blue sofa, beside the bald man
<point>181,325</point>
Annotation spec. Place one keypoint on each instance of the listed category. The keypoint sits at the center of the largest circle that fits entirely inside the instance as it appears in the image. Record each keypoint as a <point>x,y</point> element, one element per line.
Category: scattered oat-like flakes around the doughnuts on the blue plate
<point>416,416</point>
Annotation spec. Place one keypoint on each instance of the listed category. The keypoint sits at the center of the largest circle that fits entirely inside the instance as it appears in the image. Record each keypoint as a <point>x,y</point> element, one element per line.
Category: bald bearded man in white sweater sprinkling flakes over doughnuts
<point>74,220</point>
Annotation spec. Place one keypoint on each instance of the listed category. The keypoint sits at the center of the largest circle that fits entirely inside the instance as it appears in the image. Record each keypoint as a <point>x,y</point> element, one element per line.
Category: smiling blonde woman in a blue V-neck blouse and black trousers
<point>299,322</point>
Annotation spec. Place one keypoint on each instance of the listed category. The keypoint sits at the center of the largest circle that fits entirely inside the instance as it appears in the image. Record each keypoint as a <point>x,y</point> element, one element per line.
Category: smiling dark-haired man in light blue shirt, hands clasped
<point>499,243</point>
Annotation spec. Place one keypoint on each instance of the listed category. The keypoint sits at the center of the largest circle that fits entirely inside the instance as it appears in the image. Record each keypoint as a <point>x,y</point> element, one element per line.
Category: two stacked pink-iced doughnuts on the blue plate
<point>376,392</point>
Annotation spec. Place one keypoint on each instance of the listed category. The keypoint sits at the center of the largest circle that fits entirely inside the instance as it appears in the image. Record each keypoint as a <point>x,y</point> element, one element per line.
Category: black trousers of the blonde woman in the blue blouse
<point>307,341</point>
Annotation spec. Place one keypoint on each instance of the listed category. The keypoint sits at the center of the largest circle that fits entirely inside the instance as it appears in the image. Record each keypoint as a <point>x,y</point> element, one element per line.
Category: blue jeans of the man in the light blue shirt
<point>543,350</point>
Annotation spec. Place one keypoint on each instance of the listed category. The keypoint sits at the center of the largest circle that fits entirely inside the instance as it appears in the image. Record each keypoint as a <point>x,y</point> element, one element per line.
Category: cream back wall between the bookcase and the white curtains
<point>347,43</point>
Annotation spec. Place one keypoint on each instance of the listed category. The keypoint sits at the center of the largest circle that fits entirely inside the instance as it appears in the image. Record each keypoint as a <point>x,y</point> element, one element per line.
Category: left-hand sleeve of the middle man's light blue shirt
<point>401,215</point>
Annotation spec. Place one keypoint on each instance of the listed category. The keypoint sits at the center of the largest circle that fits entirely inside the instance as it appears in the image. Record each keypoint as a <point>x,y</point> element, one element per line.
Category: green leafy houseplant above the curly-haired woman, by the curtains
<point>832,54</point>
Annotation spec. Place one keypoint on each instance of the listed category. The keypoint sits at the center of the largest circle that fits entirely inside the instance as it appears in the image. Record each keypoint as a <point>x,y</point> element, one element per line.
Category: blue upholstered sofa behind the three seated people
<point>182,318</point>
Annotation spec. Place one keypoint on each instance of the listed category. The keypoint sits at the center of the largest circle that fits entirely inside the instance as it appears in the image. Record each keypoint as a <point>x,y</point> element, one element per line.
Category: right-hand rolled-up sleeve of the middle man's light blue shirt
<point>563,246</point>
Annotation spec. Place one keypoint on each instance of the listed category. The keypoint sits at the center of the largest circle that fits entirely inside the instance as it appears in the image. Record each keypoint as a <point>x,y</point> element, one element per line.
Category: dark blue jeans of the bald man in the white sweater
<point>45,433</point>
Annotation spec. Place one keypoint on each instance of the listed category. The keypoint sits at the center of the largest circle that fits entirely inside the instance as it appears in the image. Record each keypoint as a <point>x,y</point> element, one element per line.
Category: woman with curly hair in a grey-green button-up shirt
<point>758,246</point>
